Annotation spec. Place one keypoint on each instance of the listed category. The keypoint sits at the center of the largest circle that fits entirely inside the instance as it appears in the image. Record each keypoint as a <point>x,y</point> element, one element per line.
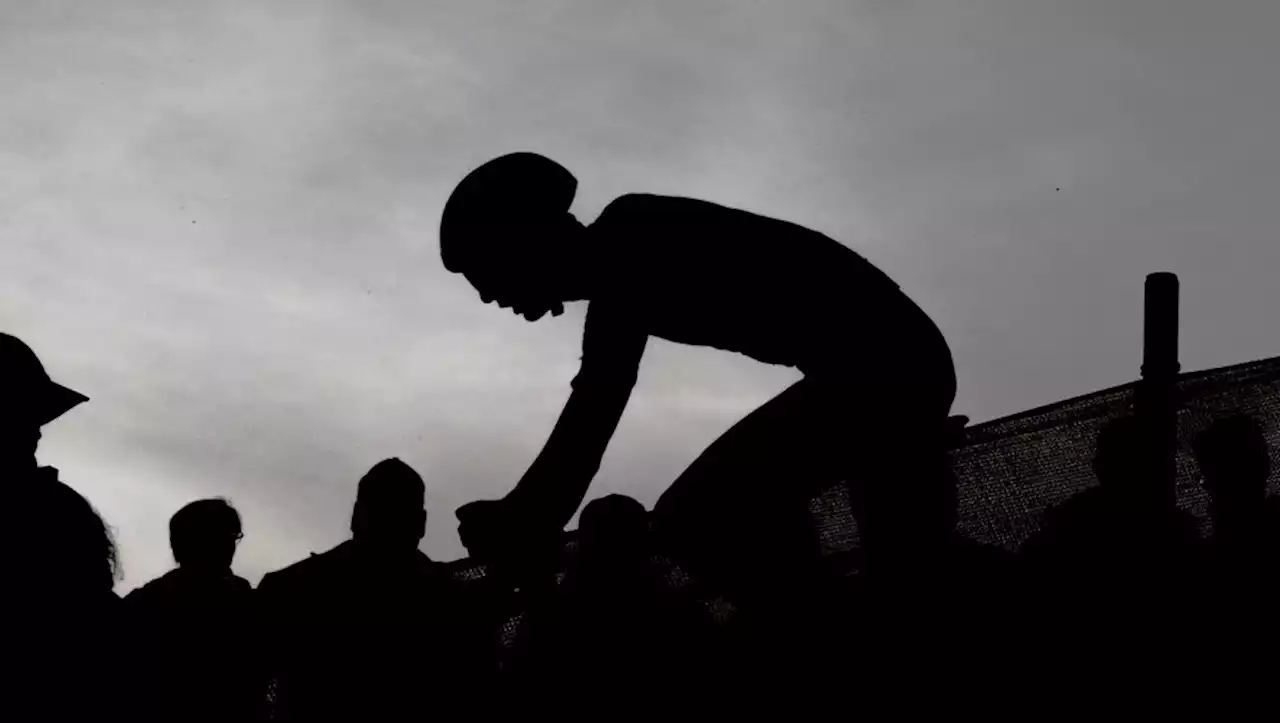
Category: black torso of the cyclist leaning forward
<point>697,273</point>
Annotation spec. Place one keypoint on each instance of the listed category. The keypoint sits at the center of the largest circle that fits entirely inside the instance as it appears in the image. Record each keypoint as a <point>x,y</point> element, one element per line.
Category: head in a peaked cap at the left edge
<point>29,400</point>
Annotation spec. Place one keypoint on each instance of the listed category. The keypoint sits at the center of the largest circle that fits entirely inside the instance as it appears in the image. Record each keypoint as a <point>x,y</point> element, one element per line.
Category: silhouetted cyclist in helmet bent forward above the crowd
<point>877,370</point>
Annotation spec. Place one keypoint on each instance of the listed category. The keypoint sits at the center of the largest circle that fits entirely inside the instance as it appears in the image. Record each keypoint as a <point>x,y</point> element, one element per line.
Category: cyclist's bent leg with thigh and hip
<point>746,500</point>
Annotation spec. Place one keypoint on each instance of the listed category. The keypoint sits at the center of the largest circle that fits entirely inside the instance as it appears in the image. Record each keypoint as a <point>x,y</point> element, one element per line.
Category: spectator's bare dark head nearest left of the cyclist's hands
<point>391,506</point>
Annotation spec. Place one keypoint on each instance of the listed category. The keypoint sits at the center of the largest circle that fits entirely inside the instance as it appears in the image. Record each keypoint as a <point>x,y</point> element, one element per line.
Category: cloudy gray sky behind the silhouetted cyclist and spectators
<point>220,218</point>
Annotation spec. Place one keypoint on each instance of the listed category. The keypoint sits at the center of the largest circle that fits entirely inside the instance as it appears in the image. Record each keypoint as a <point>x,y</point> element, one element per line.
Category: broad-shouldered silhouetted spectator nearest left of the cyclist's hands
<point>372,630</point>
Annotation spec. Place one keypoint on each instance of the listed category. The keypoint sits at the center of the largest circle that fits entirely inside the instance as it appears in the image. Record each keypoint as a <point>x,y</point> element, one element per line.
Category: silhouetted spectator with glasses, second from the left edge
<point>200,625</point>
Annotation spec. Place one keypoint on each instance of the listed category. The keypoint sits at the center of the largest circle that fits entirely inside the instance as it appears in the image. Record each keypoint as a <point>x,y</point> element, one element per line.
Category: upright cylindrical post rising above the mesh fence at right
<point>1156,405</point>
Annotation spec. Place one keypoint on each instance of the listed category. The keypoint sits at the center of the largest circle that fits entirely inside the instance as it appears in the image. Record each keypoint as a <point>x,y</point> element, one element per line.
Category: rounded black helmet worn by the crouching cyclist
<point>508,190</point>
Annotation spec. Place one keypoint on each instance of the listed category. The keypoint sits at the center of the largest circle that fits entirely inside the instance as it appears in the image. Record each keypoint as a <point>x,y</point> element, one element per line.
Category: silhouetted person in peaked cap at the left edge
<point>62,564</point>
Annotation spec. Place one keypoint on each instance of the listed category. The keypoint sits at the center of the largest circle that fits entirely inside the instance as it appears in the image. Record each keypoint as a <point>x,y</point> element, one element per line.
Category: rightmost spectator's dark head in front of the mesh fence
<point>1235,460</point>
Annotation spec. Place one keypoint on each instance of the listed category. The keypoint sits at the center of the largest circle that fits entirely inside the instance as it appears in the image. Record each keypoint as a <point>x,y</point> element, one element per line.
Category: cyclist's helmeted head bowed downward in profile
<point>509,231</point>
